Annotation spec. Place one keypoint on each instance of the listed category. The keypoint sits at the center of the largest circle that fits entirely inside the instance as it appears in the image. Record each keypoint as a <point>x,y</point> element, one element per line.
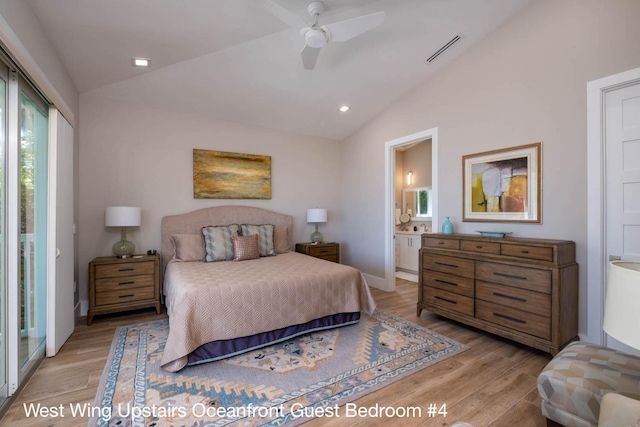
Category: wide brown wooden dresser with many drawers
<point>519,288</point>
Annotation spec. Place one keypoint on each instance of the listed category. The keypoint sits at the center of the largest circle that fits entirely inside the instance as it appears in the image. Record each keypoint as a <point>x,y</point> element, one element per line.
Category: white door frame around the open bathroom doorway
<point>390,186</point>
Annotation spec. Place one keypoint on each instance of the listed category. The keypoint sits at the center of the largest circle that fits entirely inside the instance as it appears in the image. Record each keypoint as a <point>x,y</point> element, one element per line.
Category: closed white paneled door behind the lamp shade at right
<point>622,153</point>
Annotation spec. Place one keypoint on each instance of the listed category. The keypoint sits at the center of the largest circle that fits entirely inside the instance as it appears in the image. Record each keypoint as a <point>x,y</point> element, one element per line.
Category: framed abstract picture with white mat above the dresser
<point>503,185</point>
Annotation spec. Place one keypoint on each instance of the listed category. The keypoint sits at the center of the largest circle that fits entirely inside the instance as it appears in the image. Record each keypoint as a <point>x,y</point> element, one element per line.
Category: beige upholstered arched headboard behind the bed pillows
<point>192,223</point>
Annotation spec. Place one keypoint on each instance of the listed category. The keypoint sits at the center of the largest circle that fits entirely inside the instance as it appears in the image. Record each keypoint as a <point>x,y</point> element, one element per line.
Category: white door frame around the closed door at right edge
<point>597,254</point>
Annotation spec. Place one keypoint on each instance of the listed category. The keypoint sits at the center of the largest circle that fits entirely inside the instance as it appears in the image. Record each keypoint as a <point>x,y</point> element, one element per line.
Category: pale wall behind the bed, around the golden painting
<point>139,156</point>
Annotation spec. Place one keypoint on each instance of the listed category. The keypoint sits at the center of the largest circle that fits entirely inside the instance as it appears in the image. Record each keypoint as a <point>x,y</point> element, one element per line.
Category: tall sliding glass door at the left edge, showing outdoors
<point>24,134</point>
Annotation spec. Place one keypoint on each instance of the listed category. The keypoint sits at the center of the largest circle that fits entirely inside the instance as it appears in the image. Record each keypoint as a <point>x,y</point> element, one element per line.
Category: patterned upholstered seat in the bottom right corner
<point>573,382</point>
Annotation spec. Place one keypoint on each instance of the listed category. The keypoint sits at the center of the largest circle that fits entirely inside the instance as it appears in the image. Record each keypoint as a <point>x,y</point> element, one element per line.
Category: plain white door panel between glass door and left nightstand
<point>60,291</point>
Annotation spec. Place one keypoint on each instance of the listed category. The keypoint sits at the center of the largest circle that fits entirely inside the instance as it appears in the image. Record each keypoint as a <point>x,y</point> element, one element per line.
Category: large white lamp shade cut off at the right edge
<point>622,306</point>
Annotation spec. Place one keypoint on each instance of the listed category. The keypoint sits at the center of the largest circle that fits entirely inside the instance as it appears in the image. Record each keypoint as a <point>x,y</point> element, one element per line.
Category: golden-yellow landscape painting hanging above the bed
<point>224,175</point>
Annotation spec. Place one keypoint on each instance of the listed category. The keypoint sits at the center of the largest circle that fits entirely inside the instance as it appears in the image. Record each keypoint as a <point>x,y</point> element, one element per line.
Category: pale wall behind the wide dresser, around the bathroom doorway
<point>524,83</point>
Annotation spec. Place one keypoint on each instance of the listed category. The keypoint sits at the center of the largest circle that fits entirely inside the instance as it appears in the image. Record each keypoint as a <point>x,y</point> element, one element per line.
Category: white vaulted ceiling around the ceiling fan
<point>235,60</point>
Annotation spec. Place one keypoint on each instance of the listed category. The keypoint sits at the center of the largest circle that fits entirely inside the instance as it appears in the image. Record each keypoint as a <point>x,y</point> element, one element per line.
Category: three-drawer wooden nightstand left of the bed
<point>121,284</point>
